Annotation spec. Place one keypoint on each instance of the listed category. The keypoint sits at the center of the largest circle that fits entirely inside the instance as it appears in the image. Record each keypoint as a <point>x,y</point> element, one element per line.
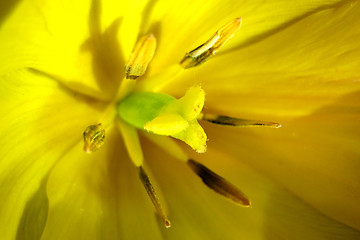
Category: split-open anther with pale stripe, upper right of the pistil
<point>200,54</point>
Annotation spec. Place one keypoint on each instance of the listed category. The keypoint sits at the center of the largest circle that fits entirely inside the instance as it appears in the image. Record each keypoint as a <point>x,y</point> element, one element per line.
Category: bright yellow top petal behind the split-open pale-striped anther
<point>187,24</point>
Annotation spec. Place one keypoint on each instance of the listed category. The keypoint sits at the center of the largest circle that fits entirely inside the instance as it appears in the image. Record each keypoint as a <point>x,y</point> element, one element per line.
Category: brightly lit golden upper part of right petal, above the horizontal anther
<point>291,73</point>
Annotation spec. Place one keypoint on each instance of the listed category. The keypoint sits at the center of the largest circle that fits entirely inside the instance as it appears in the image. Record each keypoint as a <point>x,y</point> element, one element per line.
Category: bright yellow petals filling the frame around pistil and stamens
<point>293,62</point>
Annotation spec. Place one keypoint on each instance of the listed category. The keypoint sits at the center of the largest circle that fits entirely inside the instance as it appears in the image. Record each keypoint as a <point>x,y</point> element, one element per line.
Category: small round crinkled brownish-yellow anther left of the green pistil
<point>94,136</point>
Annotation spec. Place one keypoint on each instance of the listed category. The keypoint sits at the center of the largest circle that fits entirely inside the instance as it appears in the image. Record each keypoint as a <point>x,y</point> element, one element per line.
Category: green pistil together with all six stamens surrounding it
<point>156,114</point>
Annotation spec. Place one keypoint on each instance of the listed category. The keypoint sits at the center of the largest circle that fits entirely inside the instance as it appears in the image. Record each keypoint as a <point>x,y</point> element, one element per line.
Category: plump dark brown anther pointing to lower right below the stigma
<point>219,184</point>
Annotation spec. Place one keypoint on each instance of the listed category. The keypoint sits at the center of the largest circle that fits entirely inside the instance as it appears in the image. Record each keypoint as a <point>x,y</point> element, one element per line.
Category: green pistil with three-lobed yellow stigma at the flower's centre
<point>163,114</point>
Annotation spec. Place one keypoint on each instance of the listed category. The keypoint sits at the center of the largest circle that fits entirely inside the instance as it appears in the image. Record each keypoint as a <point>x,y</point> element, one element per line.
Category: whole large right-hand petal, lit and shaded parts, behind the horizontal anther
<point>298,72</point>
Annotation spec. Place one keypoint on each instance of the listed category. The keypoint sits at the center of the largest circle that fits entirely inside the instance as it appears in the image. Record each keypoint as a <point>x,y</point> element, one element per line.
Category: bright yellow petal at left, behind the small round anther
<point>36,113</point>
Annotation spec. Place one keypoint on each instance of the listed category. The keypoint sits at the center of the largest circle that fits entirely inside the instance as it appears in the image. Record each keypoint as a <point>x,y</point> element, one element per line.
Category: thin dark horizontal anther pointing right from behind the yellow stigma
<point>237,122</point>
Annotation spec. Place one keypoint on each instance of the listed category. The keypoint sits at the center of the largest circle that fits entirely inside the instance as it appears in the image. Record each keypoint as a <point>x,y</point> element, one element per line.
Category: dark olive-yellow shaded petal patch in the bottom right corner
<point>297,220</point>
